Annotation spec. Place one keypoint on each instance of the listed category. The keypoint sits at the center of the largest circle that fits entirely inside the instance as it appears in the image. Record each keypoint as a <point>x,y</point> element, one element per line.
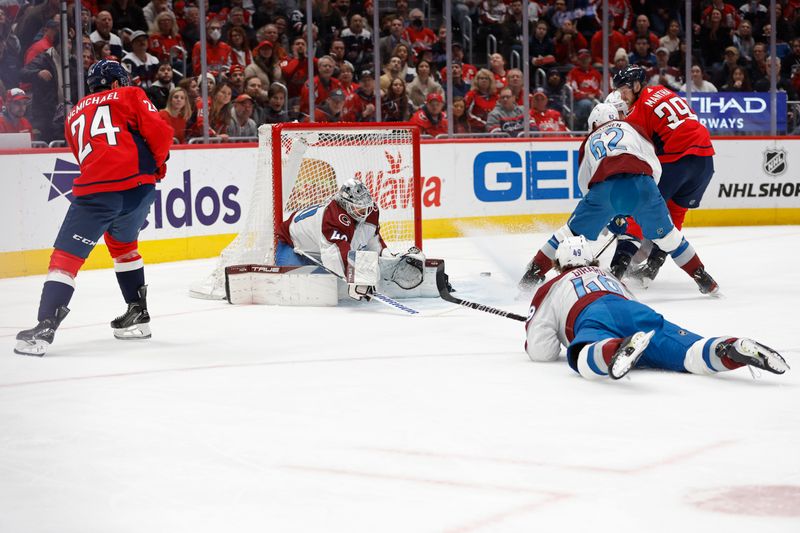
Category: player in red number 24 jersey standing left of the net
<point>122,145</point>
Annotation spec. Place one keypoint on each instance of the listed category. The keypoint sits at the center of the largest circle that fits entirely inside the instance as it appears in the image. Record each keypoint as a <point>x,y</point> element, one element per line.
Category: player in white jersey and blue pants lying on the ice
<point>607,332</point>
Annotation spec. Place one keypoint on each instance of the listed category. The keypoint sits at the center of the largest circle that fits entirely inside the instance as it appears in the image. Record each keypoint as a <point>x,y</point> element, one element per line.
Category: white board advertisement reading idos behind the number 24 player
<point>203,194</point>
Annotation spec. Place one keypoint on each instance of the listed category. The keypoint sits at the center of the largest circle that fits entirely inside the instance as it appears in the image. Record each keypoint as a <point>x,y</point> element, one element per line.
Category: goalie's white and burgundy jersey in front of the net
<point>329,232</point>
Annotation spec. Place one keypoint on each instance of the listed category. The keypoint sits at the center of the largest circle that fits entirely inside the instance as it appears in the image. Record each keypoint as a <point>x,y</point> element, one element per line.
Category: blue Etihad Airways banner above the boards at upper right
<point>732,113</point>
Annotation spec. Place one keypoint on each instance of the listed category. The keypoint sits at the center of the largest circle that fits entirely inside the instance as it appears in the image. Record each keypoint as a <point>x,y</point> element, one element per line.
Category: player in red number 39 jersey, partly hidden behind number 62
<point>683,146</point>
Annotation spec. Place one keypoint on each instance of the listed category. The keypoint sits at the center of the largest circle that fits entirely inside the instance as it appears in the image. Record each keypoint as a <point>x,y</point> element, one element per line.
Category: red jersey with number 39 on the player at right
<point>671,124</point>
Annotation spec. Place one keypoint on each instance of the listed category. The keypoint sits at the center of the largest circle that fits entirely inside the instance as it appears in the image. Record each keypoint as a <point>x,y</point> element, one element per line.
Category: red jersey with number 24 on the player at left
<point>119,140</point>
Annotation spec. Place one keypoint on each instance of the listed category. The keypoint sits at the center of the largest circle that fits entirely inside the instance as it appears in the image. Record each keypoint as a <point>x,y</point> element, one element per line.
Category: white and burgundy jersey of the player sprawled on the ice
<point>557,304</point>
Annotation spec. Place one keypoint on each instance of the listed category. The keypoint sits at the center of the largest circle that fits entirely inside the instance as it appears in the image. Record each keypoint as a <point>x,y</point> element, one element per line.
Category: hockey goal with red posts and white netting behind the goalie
<point>300,165</point>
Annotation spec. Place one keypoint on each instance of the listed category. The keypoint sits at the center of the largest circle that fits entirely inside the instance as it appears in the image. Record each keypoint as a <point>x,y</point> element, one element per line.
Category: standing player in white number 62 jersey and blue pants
<point>618,175</point>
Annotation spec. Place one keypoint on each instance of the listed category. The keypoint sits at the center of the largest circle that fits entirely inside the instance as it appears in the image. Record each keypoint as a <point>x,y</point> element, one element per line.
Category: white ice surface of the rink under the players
<point>356,419</point>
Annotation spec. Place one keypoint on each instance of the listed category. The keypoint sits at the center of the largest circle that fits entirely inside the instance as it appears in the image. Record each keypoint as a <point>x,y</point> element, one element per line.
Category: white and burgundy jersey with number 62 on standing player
<point>616,147</point>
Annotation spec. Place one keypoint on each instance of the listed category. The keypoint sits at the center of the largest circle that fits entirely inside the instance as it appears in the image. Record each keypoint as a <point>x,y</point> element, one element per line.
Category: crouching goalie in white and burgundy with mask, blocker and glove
<point>333,233</point>
